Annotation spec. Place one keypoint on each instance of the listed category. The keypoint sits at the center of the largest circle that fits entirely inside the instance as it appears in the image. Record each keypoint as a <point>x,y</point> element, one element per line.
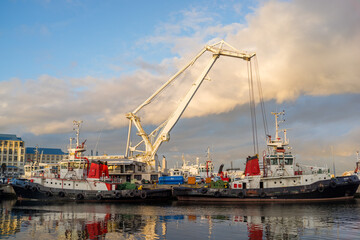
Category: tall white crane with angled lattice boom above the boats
<point>163,131</point>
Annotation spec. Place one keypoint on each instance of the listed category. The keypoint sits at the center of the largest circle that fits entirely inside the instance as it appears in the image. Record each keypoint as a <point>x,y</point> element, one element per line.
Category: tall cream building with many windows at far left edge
<point>12,154</point>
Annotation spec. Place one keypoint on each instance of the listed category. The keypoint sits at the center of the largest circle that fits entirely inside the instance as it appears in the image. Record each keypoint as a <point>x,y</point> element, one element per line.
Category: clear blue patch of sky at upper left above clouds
<point>80,38</point>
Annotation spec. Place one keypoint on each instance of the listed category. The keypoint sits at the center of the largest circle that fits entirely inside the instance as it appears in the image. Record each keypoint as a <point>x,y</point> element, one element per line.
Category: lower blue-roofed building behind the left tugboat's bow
<point>44,155</point>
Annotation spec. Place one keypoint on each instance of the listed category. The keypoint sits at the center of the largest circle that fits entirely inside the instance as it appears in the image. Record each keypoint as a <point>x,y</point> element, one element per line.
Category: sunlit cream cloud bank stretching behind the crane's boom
<point>303,47</point>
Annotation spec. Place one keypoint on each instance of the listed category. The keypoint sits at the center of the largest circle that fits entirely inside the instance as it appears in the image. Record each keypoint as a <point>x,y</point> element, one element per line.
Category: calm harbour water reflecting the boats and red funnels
<point>174,220</point>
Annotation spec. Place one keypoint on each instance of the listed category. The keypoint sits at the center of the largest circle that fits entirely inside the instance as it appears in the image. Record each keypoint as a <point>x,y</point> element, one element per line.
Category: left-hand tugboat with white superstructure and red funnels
<point>81,179</point>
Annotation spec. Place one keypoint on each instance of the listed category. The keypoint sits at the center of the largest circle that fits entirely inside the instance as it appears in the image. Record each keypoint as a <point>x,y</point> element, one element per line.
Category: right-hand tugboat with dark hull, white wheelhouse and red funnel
<point>280,180</point>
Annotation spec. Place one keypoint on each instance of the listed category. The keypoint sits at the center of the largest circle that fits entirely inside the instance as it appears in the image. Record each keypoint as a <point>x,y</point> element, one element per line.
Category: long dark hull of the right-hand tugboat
<point>341,188</point>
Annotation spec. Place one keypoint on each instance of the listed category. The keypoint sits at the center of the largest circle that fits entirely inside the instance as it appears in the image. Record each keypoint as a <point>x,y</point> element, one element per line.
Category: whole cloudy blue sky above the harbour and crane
<point>98,60</point>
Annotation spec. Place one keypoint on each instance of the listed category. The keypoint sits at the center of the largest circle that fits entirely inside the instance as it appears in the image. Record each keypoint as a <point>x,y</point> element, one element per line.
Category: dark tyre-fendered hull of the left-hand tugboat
<point>37,192</point>
